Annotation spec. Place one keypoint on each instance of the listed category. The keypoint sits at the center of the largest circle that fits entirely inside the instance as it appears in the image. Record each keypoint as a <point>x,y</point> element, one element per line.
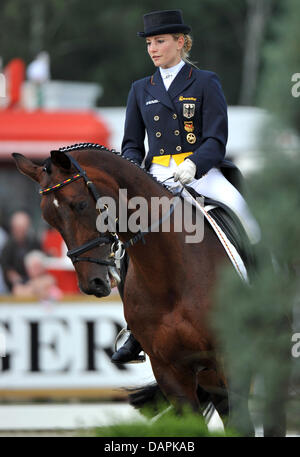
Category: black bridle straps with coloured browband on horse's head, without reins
<point>110,238</point>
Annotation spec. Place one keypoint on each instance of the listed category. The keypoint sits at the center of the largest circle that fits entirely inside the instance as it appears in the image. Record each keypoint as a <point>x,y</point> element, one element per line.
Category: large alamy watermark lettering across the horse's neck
<point>159,214</point>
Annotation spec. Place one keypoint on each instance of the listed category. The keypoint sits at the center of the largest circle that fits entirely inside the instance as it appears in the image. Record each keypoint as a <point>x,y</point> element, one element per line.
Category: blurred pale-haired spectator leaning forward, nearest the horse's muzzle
<point>40,284</point>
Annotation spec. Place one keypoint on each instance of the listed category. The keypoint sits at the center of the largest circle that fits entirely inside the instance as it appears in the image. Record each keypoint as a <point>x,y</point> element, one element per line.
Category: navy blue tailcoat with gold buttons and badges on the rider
<point>163,114</point>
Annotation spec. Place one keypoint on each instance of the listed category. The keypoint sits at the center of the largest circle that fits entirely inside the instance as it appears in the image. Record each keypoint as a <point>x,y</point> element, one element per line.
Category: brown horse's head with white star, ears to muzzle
<point>71,209</point>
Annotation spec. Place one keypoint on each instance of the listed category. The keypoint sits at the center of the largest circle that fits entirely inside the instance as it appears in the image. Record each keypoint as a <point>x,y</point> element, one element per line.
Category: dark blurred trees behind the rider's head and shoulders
<point>96,40</point>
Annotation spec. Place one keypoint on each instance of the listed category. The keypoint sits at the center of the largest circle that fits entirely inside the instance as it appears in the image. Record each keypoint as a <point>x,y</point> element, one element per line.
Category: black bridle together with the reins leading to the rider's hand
<point>112,238</point>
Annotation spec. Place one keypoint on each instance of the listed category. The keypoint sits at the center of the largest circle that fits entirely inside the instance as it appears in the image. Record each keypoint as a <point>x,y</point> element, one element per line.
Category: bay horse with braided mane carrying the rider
<point>168,290</point>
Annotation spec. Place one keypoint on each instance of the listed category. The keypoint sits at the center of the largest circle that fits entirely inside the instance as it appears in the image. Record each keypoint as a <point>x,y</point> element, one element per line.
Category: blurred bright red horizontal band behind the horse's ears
<point>36,133</point>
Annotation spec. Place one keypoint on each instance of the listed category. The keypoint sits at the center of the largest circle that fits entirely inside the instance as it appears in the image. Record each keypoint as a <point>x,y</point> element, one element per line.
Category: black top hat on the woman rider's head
<point>161,22</point>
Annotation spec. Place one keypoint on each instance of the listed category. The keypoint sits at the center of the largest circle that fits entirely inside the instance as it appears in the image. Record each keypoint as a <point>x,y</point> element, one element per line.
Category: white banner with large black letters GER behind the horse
<point>68,345</point>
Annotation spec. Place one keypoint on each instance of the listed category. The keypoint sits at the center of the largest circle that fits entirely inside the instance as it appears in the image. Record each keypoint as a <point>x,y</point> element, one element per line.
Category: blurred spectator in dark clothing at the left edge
<point>18,244</point>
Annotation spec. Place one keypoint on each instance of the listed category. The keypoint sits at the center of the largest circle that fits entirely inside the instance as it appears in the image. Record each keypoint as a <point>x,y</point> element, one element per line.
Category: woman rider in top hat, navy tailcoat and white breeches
<point>184,112</point>
